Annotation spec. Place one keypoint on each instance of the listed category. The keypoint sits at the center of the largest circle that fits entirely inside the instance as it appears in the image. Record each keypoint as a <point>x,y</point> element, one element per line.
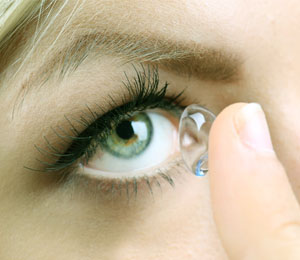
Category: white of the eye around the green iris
<point>161,146</point>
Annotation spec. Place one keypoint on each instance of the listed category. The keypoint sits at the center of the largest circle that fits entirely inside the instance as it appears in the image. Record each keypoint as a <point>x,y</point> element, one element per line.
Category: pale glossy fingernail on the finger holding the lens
<point>252,127</point>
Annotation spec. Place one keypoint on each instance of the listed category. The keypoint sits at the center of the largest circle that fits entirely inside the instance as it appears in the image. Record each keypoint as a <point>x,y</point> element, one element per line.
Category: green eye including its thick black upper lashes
<point>136,139</point>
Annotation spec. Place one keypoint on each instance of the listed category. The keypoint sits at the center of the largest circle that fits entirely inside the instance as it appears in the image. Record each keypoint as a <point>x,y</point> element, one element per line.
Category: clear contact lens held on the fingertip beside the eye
<point>194,127</point>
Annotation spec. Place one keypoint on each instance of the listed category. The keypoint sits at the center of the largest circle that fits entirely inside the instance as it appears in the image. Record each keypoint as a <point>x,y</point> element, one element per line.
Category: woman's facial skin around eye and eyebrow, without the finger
<point>39,220</point>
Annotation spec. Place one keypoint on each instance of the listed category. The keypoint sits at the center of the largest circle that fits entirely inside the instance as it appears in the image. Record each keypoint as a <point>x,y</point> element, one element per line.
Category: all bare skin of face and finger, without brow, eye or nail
<point>42,218</point>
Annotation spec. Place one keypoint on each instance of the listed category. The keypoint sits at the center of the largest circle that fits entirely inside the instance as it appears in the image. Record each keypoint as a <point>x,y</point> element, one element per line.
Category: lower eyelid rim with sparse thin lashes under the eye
<point>126,188</point>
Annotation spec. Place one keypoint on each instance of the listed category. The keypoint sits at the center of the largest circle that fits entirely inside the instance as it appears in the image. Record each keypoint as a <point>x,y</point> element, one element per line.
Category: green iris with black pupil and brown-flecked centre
<point>130,137</point>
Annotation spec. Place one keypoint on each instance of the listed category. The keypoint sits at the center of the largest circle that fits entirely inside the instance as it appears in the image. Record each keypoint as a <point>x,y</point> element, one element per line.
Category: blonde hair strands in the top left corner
<point>15,17</point>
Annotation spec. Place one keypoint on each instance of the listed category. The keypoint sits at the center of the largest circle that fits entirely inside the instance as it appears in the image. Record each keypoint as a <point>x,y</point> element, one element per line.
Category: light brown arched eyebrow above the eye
<point>184,58</point>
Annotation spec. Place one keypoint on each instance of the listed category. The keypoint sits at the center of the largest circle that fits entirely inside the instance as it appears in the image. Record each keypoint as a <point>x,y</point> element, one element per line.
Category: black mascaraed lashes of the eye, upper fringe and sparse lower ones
<point>143,92</point>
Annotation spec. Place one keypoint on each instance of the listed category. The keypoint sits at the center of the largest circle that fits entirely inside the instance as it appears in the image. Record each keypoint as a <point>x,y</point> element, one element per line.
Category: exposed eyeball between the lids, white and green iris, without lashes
<point>136,146</point>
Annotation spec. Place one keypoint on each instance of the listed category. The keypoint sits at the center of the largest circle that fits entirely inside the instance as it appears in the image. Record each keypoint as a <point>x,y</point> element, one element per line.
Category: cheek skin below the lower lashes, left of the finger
<point>174,223</point>
